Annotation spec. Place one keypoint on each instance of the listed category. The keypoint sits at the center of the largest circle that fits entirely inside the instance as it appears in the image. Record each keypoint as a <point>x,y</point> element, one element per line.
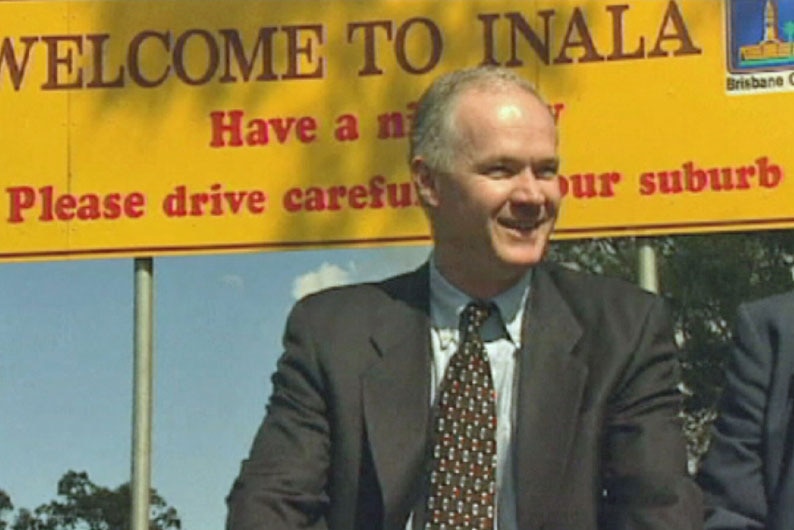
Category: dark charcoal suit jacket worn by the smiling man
<point>597,444</point>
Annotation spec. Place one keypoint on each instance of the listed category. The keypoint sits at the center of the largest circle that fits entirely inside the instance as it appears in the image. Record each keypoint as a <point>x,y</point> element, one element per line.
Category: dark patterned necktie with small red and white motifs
<point>462,480</point>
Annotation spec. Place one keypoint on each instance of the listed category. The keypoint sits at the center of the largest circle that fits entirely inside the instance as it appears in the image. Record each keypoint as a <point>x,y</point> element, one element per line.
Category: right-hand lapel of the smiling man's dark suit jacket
<point>550,385</point>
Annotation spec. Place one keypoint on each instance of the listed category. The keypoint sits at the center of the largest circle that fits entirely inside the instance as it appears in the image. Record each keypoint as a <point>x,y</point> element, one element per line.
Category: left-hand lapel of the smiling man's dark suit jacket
<point>396,395</point>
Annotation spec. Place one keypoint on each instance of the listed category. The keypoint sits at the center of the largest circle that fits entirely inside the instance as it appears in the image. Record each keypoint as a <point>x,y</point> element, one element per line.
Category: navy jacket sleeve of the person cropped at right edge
<point>732,474</point>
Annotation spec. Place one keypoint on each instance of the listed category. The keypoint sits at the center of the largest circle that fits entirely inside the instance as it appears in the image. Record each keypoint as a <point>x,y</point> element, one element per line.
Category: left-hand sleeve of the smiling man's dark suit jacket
<point>283,483</point>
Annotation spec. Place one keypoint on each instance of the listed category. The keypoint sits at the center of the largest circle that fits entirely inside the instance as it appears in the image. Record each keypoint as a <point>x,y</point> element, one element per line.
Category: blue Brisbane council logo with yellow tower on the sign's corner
<point>760,46</point>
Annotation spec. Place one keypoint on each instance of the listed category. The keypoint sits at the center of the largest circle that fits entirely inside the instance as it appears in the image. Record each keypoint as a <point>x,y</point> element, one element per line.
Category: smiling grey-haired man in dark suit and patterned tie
<point>559,409</point>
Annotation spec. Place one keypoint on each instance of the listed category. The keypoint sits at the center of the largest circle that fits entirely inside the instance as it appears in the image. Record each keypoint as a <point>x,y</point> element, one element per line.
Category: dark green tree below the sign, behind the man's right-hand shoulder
<point>704,278</point>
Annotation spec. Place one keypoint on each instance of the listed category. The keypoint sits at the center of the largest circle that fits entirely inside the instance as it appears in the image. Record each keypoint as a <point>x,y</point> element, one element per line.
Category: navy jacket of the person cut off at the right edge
<point>747,475</point>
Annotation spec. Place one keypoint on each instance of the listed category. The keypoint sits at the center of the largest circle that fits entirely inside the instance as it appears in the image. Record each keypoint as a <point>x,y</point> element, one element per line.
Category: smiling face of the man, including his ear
<point>492,211</point>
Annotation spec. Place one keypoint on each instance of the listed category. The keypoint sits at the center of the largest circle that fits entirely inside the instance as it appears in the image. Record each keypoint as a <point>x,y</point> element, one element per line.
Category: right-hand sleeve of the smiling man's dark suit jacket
<point>646,482</point>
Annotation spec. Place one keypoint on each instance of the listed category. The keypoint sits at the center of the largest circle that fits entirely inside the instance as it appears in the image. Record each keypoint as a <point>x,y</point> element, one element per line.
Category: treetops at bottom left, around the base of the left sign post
<point>82,505</point>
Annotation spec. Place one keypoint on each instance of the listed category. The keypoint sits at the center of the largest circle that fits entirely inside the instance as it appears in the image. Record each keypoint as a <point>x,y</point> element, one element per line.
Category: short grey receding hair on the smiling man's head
<point>433,130</point>
